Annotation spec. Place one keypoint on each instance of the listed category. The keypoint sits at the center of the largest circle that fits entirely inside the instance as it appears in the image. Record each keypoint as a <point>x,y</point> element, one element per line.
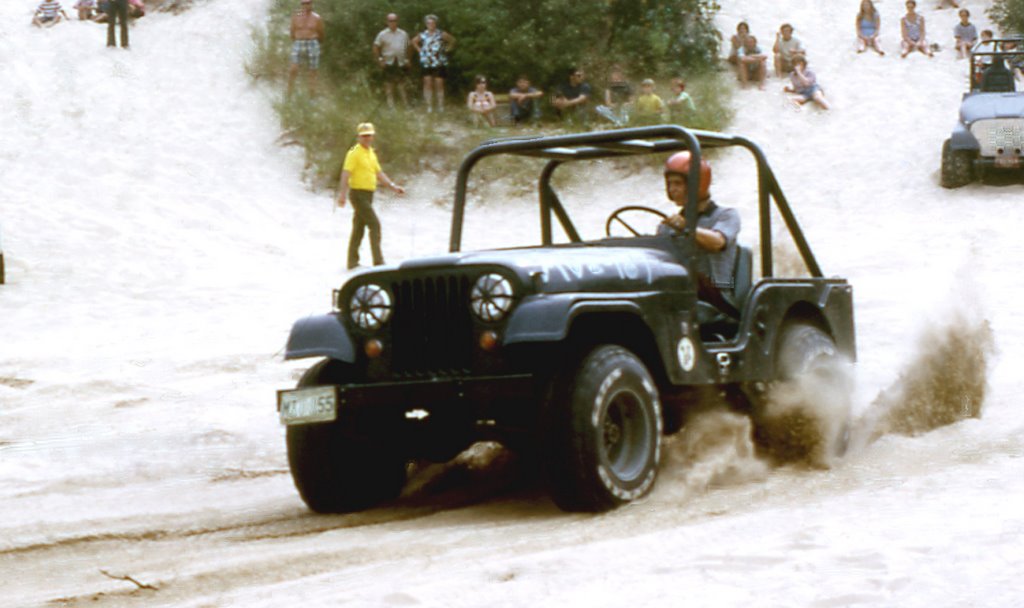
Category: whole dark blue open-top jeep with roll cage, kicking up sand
<point>582,354</point>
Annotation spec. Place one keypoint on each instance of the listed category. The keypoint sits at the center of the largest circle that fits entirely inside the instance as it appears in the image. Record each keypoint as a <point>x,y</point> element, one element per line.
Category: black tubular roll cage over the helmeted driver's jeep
<point>633,142</point>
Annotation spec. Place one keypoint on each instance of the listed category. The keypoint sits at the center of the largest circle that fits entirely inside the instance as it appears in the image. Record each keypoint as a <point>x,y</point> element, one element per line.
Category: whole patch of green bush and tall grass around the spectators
<point>499,38</point>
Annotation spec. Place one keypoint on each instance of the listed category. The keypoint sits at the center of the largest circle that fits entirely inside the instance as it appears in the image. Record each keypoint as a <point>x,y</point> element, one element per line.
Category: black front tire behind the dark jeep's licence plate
<point>335,470</point>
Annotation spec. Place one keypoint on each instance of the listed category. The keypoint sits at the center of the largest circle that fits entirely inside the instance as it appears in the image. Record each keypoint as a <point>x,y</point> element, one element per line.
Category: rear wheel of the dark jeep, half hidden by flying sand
<point>805,416</point>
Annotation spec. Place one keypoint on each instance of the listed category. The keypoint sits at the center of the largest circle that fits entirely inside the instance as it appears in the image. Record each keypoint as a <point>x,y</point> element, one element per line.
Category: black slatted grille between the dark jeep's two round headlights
<point>432,330</point>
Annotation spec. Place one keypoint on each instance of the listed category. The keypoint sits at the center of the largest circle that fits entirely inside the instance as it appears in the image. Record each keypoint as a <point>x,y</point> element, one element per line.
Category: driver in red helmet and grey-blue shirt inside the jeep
<point>716,233</point>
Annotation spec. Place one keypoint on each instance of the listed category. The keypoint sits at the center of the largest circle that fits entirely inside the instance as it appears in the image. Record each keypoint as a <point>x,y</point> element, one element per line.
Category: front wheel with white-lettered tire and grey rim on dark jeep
<point>603,432</point>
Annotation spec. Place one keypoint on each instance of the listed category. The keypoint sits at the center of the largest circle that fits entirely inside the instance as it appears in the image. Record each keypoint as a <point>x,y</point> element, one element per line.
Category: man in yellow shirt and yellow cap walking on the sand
<point>359,182</point>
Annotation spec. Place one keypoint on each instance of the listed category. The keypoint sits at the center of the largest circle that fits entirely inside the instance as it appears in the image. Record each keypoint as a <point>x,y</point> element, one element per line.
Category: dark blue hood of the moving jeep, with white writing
<point>571,269</point>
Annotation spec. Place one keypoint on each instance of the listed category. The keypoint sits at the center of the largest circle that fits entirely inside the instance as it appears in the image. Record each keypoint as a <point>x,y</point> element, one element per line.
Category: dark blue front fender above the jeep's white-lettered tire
<point>550,319</point>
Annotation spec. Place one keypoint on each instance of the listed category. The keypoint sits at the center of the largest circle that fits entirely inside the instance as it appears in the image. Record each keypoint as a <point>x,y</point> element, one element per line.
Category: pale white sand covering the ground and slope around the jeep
<point>159,246</point>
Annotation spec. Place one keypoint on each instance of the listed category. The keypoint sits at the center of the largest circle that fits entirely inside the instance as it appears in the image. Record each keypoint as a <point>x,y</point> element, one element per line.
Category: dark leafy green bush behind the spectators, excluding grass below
<point>543,38</point>
